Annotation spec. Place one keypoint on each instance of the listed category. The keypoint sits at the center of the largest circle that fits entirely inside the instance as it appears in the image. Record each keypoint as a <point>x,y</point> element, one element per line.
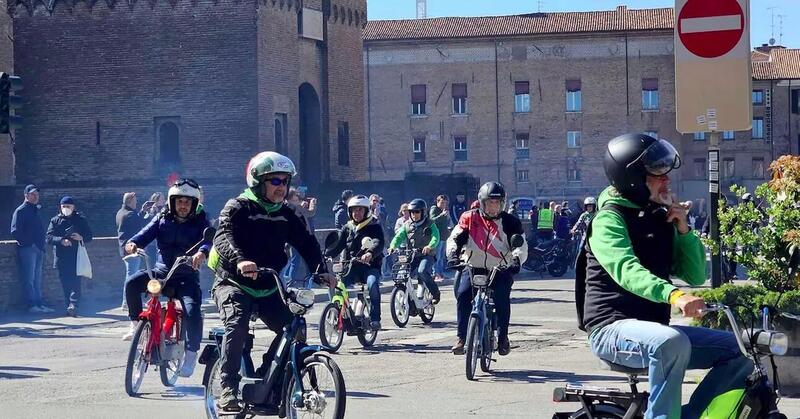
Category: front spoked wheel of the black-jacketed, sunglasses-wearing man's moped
<point>323,395</point>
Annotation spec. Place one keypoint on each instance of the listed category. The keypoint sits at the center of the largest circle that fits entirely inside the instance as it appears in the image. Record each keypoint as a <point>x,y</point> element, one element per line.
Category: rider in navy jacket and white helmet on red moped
<point>176,229</point>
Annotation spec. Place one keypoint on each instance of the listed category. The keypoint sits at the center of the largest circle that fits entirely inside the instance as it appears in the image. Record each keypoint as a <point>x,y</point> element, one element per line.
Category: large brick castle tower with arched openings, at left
<point>120,94</point>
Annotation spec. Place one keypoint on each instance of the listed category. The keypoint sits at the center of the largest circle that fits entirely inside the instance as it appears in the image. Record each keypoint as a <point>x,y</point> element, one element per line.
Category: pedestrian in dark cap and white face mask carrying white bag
<point>66,233</point>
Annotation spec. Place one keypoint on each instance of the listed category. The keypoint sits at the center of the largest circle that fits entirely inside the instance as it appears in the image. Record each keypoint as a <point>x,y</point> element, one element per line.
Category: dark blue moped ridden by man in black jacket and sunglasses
<point>293,376</point>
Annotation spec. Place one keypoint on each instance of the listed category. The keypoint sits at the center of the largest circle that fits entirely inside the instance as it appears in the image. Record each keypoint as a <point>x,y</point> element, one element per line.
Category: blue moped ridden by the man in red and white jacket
<point>482,339</point>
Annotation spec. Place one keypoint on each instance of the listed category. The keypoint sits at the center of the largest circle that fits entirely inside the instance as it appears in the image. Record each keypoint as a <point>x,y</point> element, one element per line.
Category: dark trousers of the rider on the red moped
<point>186,288</point>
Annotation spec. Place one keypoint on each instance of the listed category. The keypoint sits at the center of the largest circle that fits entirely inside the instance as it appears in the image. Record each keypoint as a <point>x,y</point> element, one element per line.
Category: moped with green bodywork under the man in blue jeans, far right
<point>759,399</point>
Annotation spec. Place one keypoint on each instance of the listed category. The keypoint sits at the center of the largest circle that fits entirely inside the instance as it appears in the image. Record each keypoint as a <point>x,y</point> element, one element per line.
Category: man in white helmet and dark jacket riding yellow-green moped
<point>362,238</point>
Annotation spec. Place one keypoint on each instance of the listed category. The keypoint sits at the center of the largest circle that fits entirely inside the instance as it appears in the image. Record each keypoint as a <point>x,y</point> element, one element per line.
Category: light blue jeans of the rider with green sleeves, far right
<point>668,351</point>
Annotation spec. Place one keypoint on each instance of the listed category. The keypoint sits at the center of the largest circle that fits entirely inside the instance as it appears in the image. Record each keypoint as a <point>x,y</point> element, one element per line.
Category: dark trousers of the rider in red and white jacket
<point>502,302</point>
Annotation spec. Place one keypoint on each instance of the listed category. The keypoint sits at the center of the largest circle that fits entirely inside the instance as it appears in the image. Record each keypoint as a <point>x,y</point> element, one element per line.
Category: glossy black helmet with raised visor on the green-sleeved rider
<point>629,158</point>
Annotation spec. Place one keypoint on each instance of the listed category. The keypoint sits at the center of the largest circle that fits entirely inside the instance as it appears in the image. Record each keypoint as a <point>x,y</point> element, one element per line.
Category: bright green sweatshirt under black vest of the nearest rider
<point>612,247</point>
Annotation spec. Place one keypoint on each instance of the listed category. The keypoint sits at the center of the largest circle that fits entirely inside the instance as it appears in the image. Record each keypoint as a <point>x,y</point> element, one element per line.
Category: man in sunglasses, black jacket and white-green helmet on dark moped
<point>253,230</point>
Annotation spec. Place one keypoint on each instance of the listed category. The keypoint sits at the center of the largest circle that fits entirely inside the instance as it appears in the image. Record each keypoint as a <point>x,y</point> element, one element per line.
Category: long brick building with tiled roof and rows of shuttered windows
<point>533,99</point>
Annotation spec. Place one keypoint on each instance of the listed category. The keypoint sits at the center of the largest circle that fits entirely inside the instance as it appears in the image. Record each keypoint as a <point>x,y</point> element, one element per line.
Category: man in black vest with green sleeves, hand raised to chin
<point>638,239</point>
